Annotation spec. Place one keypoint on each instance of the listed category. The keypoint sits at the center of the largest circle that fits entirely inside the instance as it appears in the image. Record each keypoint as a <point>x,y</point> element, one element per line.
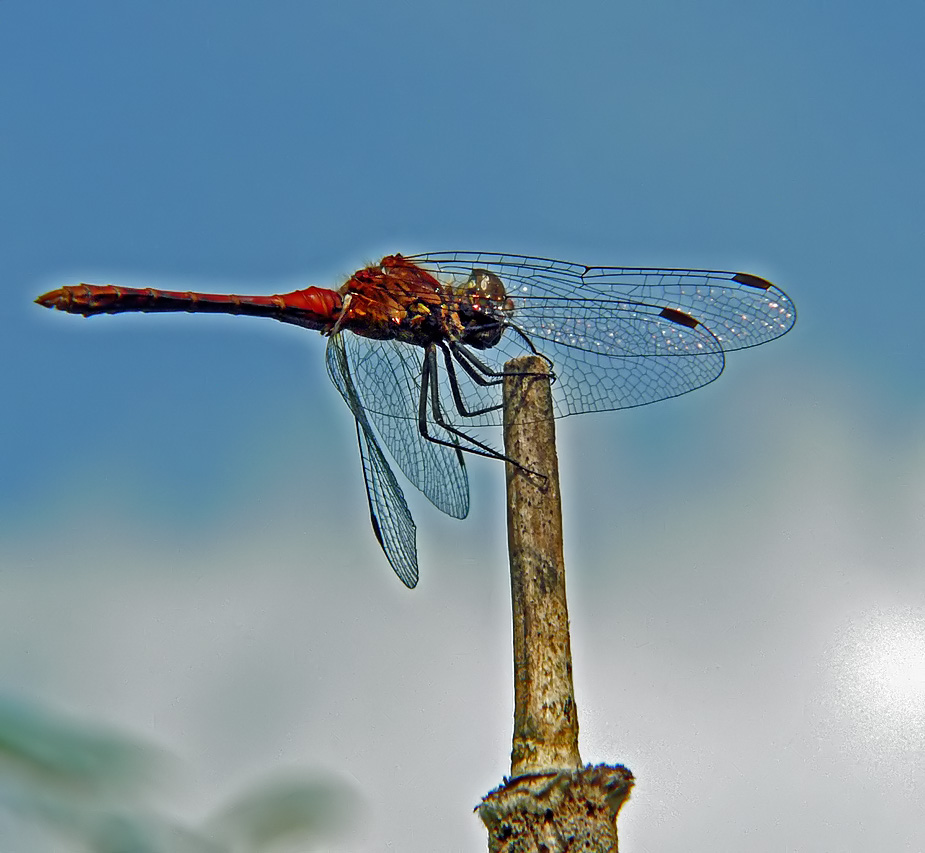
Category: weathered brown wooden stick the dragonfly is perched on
<point>551,803</point>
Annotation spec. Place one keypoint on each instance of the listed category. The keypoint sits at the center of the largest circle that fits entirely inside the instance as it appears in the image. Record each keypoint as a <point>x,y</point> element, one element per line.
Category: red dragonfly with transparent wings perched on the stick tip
<point>417,347</point>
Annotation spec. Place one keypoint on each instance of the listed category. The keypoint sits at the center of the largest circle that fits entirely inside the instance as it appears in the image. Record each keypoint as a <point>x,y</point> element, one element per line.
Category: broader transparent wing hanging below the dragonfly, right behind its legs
<point>386,377</point>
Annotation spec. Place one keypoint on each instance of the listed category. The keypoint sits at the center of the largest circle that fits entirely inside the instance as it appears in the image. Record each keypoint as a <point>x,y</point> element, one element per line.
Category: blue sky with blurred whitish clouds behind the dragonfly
<point>182,523</point>
